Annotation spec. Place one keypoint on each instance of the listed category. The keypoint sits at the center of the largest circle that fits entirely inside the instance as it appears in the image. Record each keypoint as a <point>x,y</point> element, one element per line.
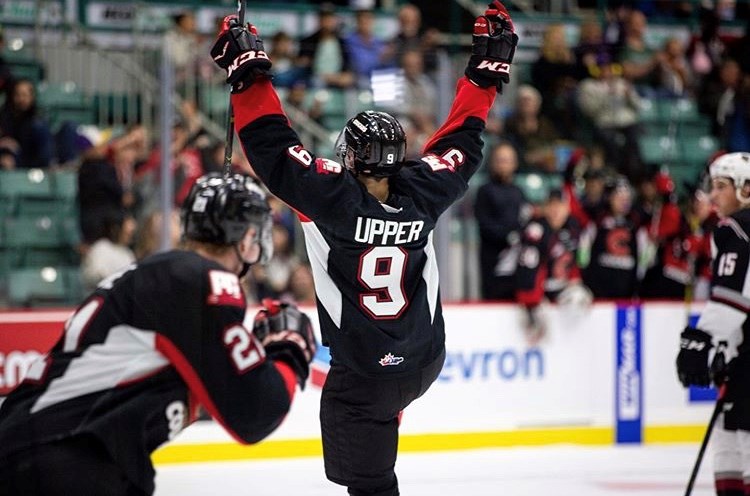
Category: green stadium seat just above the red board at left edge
<point>38,286</point>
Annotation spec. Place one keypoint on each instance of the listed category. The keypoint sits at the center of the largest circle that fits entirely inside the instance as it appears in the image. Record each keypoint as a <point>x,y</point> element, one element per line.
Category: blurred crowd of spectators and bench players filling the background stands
<point>614,225</point>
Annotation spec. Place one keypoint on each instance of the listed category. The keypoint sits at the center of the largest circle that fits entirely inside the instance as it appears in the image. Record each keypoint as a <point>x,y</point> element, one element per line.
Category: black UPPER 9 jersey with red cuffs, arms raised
<point>374,264</point>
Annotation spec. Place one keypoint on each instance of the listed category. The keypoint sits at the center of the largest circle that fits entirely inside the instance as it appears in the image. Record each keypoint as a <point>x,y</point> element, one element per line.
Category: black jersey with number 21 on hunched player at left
<point>138,357</point>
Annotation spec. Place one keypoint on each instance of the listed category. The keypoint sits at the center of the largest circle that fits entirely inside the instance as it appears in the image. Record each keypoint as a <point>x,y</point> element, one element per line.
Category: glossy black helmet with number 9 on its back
<point>372,143</point>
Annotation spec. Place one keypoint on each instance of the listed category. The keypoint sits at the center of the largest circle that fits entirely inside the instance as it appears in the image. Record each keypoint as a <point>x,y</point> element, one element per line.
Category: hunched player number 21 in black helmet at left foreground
<point>149,347</point>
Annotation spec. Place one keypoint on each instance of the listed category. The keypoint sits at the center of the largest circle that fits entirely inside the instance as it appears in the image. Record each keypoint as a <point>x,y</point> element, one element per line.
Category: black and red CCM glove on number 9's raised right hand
<point>493,45</point>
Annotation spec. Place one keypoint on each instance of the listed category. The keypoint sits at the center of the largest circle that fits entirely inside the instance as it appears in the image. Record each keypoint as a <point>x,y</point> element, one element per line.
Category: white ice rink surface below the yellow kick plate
<point>652,470</point>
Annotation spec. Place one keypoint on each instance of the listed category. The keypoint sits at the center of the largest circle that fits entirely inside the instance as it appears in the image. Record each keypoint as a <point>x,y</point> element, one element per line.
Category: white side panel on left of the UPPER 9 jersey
<point>325,289</point>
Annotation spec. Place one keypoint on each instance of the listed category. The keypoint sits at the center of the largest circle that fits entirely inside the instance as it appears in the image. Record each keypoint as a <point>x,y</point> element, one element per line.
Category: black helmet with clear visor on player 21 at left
<point>220,210</point>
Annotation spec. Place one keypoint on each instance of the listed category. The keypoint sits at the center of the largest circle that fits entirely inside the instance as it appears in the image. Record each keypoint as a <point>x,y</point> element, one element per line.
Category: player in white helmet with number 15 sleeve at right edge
<point>724,324</point>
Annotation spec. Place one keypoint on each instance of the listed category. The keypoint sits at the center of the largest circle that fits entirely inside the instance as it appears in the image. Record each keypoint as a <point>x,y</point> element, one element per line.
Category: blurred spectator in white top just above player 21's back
<point>110,253</point>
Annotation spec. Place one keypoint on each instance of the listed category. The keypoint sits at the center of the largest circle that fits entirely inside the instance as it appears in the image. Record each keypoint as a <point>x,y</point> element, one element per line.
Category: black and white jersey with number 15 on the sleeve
<point>725,314</point>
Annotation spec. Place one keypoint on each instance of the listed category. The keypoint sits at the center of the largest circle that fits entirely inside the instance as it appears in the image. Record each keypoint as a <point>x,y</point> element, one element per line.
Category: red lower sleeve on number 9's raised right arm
<point>470,101</point>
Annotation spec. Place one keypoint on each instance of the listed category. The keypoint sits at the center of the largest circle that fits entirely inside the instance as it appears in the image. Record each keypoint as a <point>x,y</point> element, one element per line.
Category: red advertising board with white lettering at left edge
<point>24,336</point>
